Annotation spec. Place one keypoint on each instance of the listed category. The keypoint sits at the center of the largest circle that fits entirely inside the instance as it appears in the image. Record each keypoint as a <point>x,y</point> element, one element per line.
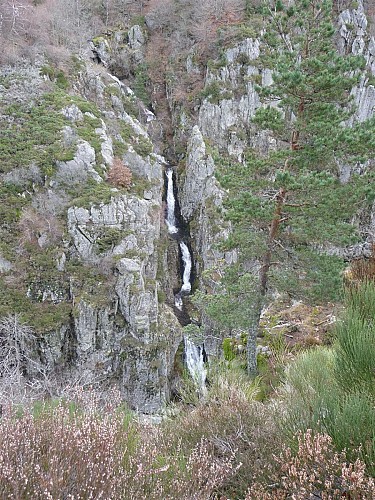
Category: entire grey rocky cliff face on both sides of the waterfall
<point>89,264</point>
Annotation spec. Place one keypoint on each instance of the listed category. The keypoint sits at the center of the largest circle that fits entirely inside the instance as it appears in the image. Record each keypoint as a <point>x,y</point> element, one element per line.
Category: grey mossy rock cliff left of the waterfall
<point>108,260</point>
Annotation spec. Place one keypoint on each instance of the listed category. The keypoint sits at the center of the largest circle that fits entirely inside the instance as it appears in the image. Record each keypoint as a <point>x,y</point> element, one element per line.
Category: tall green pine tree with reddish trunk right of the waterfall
<point>289,206</point>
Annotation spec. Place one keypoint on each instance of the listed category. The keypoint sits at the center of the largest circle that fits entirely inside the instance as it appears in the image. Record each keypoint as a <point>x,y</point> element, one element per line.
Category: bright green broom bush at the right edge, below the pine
<point>332,390</point>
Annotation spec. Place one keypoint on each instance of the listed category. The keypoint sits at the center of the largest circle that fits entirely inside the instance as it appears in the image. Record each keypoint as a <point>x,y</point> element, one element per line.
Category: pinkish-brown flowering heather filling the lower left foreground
<point>66,450</point>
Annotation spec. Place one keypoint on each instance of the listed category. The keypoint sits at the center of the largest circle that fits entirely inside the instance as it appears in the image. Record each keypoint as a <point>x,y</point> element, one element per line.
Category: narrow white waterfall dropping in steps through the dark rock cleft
<point>195,355</point>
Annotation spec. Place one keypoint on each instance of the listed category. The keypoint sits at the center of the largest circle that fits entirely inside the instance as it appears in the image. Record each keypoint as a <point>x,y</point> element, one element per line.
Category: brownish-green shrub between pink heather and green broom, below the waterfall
<point>233,423</point>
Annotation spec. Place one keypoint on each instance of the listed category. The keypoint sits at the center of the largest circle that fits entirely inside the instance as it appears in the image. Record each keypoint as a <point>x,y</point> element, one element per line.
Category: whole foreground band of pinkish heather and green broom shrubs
<point>312,438</point>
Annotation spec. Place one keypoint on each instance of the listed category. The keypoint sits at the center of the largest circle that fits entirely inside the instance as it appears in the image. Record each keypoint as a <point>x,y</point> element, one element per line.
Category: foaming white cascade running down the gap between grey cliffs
<point>194,354</point>
